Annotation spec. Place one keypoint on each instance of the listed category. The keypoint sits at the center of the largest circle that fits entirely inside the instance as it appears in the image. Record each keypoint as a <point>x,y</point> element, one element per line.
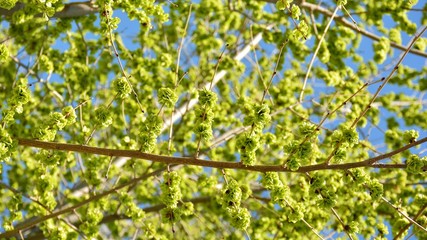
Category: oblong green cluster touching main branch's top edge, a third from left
<point>149,131</point>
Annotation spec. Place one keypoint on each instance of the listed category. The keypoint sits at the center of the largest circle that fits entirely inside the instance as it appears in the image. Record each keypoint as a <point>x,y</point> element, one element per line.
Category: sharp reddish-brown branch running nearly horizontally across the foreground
<point>371,162</point>
